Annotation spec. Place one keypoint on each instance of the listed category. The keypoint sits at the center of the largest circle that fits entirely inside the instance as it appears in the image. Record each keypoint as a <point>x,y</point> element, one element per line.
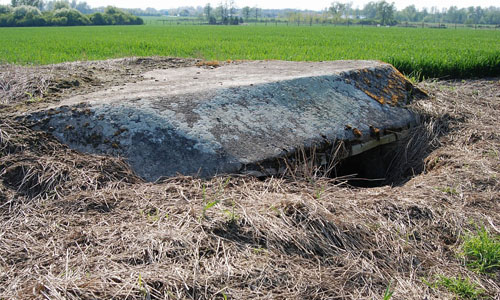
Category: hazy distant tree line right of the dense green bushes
<point>373,13</point>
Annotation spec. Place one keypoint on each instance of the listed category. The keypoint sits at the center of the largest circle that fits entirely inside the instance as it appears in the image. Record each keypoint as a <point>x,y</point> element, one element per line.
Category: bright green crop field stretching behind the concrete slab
<point>417,52</point>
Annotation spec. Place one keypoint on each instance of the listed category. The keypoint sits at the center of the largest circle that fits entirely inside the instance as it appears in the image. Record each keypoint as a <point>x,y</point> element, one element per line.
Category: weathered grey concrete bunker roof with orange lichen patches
<point>225,120</point>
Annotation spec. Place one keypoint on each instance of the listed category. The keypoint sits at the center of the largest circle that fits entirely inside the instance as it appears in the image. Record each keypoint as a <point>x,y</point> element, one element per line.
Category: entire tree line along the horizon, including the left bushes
<point>373,13</point>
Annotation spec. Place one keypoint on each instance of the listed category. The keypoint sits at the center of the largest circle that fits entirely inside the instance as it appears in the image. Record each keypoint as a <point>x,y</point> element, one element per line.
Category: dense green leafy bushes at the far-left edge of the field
<point>61,13</point>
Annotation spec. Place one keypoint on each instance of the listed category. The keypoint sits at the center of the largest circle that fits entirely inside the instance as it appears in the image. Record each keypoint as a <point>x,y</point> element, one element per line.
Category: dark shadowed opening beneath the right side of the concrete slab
<point>393,163</point>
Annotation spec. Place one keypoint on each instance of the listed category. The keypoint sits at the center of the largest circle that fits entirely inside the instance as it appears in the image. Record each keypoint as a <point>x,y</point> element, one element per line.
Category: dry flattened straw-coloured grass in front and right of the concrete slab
<point>79,226</point>
